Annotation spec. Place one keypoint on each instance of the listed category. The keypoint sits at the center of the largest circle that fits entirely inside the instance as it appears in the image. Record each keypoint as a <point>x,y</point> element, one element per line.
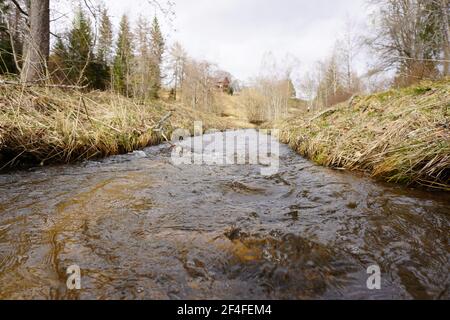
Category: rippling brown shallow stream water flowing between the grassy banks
<point>140,227</point>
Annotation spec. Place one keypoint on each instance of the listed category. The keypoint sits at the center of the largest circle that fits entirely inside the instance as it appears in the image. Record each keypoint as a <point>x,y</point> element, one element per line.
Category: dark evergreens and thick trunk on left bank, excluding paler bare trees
<point>88,55</point>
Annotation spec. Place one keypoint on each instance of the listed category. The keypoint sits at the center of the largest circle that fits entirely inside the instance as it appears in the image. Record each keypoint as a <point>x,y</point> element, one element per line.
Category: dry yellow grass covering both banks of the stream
<point>401,136</point>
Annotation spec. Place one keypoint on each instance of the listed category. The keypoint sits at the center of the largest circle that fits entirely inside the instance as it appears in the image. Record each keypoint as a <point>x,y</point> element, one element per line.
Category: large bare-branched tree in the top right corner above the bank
<point>410,36</point>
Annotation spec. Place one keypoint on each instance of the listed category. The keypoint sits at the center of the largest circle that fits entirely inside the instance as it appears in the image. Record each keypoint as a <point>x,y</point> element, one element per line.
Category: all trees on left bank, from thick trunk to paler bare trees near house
<point>135,62</point>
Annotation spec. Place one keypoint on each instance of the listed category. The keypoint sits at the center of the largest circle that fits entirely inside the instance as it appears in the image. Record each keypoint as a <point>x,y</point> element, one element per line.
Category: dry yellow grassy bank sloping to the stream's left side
<point>48,125</point>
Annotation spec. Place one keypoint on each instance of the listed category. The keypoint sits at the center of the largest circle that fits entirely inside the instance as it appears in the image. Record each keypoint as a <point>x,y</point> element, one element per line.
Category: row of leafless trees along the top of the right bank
<point>407,40</point>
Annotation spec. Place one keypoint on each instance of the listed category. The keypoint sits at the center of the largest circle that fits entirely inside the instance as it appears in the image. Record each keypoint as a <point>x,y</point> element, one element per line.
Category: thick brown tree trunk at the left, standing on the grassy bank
<point>37,44</point>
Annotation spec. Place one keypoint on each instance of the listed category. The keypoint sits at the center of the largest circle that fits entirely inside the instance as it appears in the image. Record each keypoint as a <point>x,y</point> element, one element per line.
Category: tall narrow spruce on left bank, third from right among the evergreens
<point>123,58</point>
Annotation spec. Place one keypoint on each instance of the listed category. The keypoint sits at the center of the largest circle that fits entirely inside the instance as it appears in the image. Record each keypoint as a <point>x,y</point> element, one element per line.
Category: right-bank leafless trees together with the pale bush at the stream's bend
<point>406,42</point>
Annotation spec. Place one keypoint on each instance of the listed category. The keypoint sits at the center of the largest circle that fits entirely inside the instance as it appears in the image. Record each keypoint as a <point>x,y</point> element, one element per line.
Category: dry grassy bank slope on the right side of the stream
<point>401,136</point>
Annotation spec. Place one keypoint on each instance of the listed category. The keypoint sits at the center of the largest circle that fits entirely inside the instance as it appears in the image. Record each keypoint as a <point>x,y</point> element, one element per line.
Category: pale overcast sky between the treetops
<point>236,34</point>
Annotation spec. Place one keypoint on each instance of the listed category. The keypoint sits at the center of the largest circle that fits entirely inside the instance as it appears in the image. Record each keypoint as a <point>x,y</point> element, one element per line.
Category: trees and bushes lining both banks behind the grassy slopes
<point>408,39</point>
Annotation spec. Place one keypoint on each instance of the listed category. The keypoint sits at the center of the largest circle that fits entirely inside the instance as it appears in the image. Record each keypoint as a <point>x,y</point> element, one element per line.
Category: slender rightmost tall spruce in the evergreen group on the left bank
<point>157,51</point>
